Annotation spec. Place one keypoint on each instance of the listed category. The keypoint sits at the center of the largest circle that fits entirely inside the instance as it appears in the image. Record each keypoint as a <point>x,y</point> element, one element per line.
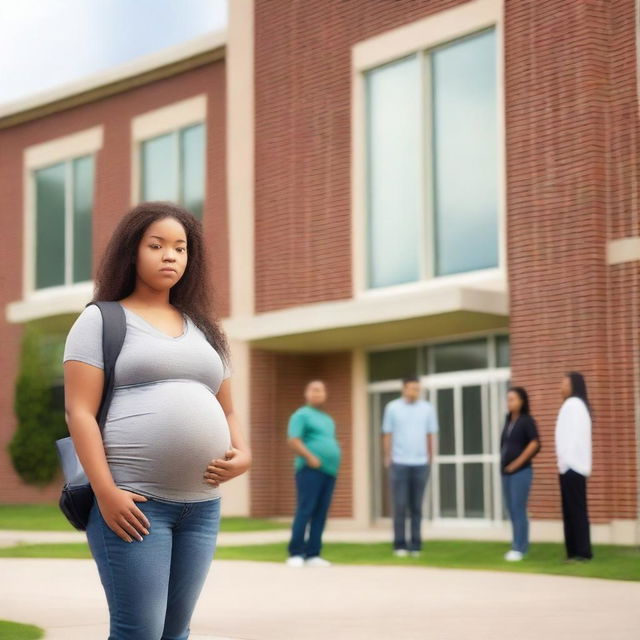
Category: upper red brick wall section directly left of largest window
<point>302,116</point>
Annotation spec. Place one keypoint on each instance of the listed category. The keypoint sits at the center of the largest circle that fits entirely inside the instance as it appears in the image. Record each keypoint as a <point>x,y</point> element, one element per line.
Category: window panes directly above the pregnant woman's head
<point>173,168</point>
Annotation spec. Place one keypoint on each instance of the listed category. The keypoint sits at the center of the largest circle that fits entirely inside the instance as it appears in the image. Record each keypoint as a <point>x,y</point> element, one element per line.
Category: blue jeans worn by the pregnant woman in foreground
<point>152,586</point>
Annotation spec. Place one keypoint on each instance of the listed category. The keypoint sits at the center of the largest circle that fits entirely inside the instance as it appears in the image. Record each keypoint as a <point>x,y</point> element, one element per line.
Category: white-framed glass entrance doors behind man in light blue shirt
<point>465,475</point>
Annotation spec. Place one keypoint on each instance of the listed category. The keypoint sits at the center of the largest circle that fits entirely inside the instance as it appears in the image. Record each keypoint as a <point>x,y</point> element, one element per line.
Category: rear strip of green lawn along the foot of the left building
<point>48,517</point>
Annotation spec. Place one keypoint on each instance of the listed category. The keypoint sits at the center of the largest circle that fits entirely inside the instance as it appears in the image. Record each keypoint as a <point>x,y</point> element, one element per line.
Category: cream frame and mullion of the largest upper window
<point>418,38</point>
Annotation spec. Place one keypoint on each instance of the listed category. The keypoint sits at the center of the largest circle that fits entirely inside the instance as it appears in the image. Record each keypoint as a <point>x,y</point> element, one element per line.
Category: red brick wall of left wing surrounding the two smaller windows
<point>111,200</point>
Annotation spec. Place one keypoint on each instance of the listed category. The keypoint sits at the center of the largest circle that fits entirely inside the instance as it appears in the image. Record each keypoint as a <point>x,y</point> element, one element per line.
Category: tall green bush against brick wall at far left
<point>40,418</point>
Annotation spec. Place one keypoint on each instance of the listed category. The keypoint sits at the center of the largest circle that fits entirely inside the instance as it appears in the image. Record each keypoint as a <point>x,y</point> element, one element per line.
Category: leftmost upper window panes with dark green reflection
<point>63,234</point>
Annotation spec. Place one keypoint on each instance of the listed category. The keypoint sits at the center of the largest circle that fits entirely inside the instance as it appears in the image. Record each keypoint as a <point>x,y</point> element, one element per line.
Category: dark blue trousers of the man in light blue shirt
<point>408,483</point>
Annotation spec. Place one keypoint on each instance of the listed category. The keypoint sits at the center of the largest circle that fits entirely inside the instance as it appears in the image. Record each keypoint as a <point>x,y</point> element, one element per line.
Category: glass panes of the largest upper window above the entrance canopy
<point>432,163</point>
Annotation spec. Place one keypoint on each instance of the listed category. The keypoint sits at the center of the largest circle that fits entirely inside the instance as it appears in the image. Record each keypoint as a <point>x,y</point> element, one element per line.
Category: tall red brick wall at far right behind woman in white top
<point>572,170</point>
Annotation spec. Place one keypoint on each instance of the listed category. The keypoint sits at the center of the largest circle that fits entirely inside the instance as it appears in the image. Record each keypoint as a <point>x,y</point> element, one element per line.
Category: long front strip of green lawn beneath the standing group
<point>610,562</point>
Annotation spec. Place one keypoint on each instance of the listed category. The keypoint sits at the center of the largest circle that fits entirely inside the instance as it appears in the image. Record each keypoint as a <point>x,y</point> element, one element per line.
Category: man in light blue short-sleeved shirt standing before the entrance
<point>408,426</point>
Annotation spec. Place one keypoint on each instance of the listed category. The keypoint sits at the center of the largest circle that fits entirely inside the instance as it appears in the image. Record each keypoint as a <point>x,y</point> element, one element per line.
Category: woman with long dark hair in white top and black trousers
<point>573,453</point>
